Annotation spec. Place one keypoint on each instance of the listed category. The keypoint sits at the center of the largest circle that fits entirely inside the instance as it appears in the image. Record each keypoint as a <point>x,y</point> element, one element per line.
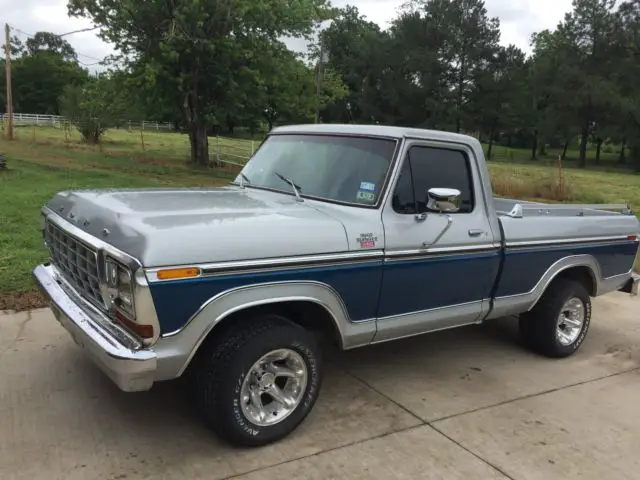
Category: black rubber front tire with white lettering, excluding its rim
<point>220,369</point>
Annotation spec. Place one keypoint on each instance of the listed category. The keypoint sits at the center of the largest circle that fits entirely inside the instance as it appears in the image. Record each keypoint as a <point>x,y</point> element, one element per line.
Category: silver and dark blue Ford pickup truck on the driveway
<point>352,233</point>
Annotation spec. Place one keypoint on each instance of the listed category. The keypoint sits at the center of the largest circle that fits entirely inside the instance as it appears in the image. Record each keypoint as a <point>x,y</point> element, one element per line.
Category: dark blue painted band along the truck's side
<point>374,288</point>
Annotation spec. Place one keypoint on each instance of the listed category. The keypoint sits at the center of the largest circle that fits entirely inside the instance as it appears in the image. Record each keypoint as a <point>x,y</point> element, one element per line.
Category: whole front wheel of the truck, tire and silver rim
<point>259,381</point>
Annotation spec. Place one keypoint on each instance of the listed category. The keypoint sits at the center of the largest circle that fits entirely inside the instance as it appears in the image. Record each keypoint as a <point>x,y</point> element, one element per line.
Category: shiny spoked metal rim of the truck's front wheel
<point>274,386</point>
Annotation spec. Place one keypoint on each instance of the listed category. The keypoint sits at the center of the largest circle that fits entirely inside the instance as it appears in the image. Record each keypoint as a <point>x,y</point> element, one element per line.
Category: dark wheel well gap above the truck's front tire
<point>308,314</point>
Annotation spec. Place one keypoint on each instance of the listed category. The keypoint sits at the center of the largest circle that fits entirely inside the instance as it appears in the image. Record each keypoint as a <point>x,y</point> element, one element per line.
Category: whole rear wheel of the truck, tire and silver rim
<point>558,324</point>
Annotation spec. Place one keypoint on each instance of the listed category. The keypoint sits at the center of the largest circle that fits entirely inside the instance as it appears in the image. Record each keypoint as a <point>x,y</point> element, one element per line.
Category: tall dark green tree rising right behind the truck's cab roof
<point>440,49</point>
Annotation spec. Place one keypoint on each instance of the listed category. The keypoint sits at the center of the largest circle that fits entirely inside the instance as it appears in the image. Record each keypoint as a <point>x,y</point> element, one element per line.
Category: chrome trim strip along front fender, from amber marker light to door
<point>250,266</point>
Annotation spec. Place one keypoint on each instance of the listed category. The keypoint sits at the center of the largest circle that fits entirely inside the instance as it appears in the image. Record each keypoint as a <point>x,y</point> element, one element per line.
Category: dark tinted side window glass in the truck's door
<point>430,167</point>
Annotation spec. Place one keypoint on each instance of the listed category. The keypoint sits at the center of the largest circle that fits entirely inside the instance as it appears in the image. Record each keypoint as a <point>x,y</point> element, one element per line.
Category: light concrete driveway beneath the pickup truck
<point>463,404</point>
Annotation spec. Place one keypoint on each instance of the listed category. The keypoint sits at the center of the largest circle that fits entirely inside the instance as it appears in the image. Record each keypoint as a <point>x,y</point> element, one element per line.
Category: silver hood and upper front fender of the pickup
<point>185,226</point>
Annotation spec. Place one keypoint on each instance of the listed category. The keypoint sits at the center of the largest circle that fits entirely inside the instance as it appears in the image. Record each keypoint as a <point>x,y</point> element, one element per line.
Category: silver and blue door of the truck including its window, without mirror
<point>439,268</point>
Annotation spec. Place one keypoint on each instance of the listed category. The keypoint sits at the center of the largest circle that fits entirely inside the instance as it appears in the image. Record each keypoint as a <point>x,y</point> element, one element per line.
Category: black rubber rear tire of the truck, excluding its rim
<point>538,326</point>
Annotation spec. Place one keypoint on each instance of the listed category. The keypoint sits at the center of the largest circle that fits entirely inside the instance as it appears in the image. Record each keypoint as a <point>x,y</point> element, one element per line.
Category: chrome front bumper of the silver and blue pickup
<point>118,355</point>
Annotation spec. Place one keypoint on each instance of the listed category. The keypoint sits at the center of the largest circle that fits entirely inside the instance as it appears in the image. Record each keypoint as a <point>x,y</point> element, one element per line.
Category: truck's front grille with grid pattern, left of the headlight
<point>76,261</point>
